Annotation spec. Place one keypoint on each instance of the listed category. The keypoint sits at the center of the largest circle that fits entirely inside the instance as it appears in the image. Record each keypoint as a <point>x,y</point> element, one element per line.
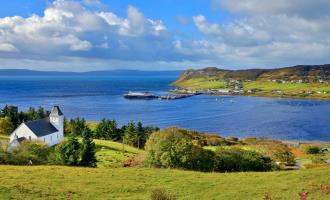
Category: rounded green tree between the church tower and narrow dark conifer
<point>69,151</point>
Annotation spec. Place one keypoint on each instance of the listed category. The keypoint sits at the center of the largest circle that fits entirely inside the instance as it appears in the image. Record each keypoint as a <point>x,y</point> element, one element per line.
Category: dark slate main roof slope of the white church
<point>41,127</point>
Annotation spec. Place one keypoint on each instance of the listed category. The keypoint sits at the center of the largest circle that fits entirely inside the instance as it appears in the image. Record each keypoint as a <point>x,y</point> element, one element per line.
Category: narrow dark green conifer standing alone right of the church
<point>88,158</point>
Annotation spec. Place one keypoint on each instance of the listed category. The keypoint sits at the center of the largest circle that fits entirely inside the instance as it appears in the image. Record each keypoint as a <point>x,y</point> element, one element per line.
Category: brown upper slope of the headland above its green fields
<point>308,73</point>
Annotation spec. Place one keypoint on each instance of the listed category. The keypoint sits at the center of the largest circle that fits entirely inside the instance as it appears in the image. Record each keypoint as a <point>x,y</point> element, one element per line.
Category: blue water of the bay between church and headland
<point>97,97</point>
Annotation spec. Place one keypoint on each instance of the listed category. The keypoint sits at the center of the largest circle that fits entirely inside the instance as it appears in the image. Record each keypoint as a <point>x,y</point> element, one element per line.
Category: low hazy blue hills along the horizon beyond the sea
<point>26,72</point>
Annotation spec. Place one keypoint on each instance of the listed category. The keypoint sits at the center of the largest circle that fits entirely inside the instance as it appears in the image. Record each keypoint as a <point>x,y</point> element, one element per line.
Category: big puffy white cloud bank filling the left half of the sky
<point>67,28</point>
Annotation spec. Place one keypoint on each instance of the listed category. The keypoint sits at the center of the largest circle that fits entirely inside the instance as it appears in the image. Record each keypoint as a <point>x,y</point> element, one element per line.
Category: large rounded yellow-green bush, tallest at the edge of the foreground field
<point>176,148</point>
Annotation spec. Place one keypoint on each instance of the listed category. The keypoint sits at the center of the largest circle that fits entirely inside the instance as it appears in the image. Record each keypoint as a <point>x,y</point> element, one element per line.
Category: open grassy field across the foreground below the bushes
<point>53,182</point>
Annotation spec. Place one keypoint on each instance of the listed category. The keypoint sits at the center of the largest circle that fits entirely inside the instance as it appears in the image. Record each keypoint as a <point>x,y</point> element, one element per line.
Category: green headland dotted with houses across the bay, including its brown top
<point>303,81</point>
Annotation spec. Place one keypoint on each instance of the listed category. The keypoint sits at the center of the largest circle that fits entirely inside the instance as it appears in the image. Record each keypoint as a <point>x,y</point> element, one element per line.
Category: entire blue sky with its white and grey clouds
<point>87,35</point>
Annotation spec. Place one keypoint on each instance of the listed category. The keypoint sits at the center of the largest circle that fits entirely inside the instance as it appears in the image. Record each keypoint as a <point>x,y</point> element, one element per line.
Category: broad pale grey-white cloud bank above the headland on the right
<point>276,39</point>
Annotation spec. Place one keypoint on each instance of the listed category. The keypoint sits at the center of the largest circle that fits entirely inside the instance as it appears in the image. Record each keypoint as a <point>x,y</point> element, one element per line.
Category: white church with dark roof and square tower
<point>49,130</point>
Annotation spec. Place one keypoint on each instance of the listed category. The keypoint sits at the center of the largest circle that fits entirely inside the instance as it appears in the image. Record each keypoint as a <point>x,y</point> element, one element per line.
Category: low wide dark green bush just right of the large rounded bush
<point>235,159</point>
